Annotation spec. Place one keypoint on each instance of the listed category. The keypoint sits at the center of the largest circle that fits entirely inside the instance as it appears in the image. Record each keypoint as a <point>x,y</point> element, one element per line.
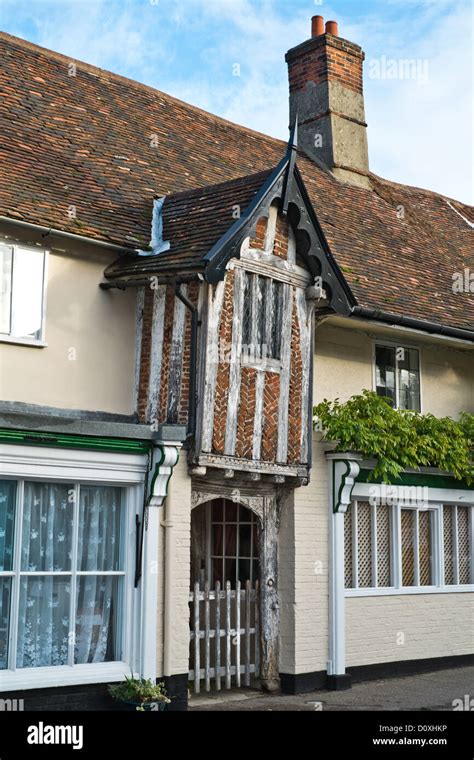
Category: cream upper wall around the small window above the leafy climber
<point>343,366</point>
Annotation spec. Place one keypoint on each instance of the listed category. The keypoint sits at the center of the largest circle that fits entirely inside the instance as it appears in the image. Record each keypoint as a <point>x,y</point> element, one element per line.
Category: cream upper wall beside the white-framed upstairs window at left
<point>96,327</point>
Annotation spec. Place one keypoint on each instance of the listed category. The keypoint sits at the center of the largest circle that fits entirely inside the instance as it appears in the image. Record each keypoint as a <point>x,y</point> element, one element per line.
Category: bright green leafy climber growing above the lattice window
<point>398,439</point>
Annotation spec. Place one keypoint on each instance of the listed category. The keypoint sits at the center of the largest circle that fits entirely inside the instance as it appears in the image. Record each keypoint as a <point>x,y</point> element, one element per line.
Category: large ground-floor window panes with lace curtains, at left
<point>64,571</point>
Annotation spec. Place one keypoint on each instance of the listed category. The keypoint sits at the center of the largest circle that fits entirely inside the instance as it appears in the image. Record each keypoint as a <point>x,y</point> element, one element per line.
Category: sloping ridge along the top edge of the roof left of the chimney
<point>90,68</point>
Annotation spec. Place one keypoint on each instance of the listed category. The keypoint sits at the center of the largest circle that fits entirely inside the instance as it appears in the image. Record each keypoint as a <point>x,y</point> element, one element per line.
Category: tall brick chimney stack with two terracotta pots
<point>325,75</point>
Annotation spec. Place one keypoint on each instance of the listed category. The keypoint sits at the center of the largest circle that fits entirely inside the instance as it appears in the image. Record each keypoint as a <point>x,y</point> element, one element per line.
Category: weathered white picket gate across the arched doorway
<point>235,623</point>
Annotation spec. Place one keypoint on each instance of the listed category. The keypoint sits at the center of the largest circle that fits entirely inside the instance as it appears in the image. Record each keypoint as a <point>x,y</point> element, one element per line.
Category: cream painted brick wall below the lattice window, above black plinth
<point>408,627</point>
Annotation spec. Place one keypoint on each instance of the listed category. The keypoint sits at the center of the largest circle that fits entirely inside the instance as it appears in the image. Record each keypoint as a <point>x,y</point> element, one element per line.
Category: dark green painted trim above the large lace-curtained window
<point>70,441</point>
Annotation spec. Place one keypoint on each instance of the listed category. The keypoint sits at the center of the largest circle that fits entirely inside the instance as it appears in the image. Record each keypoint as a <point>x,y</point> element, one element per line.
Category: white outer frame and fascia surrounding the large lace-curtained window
<point>89,468</point>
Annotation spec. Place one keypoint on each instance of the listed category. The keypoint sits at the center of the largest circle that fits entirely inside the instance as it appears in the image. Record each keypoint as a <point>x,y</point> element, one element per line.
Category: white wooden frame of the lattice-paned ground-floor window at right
<point>438,573</point>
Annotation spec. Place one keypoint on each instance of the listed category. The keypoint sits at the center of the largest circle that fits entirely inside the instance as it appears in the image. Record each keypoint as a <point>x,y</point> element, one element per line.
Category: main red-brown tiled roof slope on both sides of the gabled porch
<point>87,141</point>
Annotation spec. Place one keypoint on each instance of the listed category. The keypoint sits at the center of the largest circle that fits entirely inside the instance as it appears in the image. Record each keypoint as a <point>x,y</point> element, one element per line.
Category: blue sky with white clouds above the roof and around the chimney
<point>227,56</point>
